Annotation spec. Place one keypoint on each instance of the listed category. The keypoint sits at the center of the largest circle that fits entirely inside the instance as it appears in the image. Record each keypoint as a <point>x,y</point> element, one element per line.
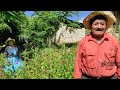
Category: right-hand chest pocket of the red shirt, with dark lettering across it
<point>110,59</point>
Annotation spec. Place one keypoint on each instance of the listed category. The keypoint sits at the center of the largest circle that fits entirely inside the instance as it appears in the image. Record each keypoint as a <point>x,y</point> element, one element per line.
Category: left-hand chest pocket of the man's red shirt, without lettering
<point>89,60</point>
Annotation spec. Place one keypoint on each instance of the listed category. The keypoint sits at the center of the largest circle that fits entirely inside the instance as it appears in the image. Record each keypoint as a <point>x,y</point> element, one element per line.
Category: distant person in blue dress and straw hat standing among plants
<point>11,52</point>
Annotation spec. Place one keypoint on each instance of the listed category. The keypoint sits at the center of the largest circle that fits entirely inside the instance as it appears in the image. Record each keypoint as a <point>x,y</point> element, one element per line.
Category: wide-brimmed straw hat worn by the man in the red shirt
<point>111,19</point>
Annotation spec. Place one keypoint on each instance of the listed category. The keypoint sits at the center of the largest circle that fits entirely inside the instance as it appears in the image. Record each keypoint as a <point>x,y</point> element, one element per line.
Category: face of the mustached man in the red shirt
<point>98,27</point>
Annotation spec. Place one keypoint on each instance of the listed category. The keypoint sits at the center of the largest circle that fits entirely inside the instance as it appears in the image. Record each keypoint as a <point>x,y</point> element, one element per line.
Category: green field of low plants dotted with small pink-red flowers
<point>45,63</point>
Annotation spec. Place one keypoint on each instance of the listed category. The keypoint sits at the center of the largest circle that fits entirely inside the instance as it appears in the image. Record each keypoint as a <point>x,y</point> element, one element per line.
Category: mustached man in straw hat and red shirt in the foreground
<point>98,54</point>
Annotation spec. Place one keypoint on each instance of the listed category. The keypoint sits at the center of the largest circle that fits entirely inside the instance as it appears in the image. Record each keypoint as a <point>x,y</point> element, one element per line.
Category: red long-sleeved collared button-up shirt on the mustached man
<point>97,59</point>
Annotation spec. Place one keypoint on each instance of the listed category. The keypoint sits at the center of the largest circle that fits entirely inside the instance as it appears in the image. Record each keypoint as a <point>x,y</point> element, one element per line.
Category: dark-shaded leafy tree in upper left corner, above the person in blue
<point>9,24</point>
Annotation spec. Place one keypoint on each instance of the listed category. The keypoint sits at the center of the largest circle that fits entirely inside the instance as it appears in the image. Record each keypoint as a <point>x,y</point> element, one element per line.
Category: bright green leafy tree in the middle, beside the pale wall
<point>40,27</point>
